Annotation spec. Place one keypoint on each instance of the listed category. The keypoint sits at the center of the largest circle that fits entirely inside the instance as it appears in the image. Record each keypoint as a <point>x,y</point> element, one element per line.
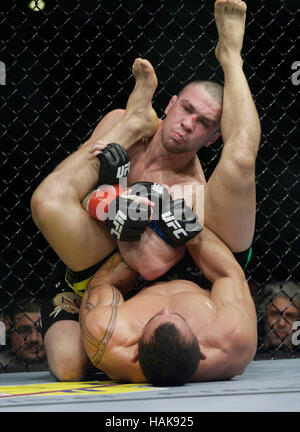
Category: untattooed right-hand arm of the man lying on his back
<point>236,322</point>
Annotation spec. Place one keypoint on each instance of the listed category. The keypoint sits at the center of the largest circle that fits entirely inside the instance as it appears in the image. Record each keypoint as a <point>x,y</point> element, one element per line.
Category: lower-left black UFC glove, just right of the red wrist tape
<point>128,215</point>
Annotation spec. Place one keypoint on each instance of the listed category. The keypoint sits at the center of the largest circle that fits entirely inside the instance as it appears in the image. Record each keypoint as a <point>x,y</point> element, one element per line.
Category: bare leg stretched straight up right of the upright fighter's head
<point>230,195</point>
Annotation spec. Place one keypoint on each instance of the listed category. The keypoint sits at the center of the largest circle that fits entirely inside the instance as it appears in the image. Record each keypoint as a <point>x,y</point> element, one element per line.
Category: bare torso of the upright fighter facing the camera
<point>152,256</point>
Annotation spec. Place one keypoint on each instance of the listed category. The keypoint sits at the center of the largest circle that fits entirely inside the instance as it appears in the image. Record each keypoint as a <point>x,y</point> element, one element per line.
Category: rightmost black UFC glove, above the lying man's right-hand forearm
<point>178,223</point>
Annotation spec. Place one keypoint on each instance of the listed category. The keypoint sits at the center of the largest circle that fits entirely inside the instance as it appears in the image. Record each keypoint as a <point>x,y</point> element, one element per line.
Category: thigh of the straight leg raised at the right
<point>230,204</point>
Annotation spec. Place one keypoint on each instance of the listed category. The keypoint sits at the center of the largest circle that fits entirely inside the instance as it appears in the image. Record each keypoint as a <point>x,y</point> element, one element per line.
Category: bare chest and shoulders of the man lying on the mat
<point>196,306</point>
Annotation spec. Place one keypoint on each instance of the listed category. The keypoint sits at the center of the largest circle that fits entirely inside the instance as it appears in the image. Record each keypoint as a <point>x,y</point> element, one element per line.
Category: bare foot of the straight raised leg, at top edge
<point>230,17</point>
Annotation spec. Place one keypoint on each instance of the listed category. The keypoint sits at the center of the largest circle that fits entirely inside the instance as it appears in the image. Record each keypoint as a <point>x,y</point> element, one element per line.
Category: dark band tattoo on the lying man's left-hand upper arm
<point>100,345</point>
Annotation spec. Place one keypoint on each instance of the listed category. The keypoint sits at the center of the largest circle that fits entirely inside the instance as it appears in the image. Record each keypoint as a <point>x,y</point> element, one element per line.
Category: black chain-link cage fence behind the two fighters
<point>65,64</point>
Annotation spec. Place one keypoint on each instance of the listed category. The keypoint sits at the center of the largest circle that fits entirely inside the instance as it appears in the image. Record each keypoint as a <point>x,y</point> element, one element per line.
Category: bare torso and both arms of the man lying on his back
<point>223,320</point>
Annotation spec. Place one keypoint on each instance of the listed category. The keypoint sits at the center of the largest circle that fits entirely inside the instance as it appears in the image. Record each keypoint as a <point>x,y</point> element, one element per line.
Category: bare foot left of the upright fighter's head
<point>139,105</point>
